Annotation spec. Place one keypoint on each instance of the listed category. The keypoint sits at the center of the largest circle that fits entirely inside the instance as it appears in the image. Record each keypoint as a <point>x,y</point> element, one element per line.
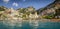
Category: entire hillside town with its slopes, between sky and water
<point>52,11</point>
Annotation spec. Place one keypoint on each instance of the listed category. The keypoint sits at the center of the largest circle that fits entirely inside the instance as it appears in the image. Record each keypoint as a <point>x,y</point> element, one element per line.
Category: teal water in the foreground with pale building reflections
<point>31,25</point>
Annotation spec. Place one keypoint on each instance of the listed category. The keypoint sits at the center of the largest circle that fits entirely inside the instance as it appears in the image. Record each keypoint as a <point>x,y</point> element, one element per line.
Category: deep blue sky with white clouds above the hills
<point>25,3</point>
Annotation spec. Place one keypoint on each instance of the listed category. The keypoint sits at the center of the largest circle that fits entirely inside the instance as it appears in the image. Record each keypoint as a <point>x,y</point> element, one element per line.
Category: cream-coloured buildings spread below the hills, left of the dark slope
<point>15,14</point>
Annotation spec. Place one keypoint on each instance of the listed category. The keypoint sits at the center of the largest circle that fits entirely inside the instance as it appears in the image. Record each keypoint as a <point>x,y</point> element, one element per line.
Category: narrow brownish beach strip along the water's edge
<point>43,20</point>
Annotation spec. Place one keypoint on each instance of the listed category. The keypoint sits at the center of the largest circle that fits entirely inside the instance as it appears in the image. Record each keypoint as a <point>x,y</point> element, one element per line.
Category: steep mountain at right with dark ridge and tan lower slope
<point>51,9</point>
